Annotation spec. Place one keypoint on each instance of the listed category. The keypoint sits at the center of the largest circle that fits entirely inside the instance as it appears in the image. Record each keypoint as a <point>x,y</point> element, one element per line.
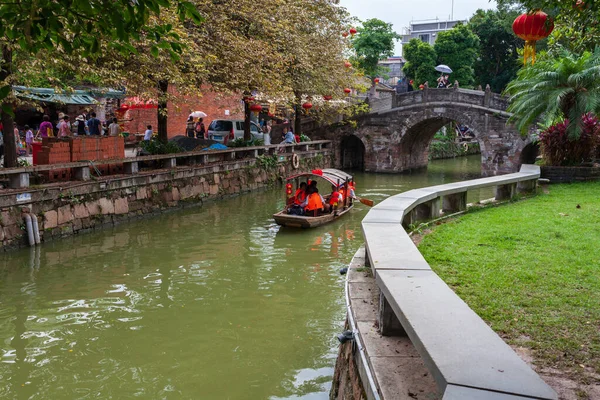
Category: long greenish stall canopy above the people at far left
<point>80,97</point>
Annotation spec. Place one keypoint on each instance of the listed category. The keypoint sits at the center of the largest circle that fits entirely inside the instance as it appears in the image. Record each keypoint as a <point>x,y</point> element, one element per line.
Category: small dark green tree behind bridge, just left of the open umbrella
<point>420,62</point>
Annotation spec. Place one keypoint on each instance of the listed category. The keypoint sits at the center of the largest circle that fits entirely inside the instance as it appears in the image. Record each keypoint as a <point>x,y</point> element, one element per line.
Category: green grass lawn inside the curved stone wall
<point>531,270</point>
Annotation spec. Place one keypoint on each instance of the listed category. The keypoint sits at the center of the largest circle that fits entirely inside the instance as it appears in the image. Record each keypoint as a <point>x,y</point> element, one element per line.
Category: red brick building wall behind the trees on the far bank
<point>213,104</point>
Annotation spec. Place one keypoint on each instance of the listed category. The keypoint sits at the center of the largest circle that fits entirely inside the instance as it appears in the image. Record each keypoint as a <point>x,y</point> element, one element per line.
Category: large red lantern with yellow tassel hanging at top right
<point>532,27</point>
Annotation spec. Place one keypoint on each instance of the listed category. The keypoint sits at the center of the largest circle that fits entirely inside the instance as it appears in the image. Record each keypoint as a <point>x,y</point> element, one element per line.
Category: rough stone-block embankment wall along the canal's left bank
<point>69,208</point>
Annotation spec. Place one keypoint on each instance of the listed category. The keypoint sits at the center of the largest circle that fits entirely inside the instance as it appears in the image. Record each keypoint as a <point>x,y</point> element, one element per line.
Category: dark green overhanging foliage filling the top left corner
<point>30,26</point>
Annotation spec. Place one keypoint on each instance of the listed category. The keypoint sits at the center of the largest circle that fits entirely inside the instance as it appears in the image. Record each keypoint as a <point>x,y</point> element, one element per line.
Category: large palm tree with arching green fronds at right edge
<point>553,90</point>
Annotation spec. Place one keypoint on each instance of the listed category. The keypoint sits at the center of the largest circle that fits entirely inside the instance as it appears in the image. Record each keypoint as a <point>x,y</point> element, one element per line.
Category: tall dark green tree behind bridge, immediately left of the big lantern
<point>498,60</point>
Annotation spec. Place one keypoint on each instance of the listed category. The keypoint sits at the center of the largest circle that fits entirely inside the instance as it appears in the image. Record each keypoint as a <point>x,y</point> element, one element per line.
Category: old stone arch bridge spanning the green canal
<point>395,137</point>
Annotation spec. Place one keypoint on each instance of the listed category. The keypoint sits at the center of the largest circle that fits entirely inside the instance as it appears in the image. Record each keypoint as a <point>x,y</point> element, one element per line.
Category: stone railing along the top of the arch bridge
<point>485,99</point>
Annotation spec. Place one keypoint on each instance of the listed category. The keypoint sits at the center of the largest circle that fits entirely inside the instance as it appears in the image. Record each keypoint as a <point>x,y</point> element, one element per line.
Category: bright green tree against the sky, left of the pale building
<point>373,42</point>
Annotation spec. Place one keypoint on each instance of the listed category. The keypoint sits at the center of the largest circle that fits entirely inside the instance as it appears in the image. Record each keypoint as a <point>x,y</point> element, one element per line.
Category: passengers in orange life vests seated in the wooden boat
<point>307,200</point>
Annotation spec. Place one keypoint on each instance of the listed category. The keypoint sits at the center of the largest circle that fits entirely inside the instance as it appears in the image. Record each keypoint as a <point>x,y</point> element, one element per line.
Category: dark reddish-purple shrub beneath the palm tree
<point>557,149</point>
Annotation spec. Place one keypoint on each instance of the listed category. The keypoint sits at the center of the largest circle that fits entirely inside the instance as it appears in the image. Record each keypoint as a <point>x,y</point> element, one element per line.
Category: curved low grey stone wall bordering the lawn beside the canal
<point>467,359</point>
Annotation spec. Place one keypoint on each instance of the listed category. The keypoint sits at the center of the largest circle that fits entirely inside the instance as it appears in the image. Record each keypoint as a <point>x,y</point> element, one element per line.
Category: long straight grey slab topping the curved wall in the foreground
<point>458,347</point>
